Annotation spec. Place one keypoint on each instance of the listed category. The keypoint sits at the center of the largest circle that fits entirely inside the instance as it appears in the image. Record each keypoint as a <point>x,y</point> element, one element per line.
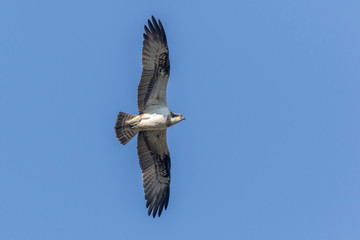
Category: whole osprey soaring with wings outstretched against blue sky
<point>153,119</point>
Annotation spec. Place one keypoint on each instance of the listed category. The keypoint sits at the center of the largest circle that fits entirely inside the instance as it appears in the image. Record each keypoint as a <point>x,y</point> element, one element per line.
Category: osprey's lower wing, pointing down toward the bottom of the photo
<point>154,159</point>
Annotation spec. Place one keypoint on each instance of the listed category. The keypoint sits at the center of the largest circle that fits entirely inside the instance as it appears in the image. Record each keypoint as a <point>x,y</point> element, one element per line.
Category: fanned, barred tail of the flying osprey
<point>125,127</point>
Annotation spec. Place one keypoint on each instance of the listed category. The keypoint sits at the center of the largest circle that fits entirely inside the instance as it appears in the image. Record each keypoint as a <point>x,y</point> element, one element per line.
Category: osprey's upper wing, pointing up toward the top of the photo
<point>156,68</point>
